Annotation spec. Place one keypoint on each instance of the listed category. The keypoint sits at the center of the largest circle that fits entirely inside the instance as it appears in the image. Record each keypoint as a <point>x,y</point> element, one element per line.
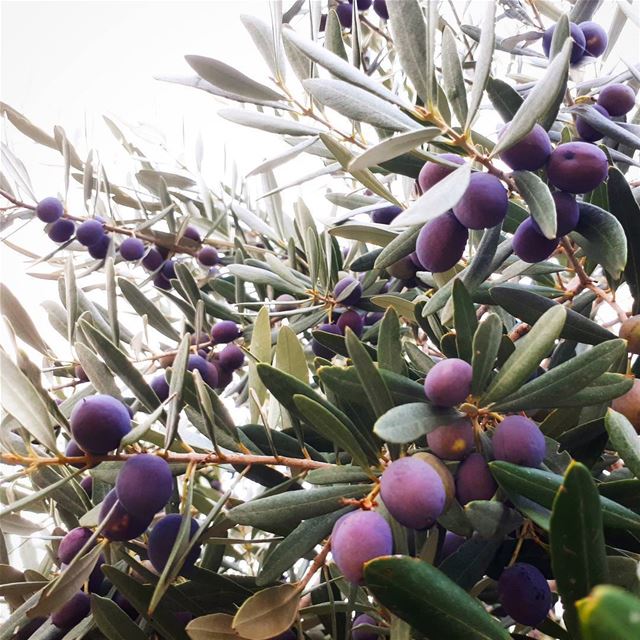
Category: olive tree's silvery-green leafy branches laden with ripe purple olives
<point>417,419</point>
